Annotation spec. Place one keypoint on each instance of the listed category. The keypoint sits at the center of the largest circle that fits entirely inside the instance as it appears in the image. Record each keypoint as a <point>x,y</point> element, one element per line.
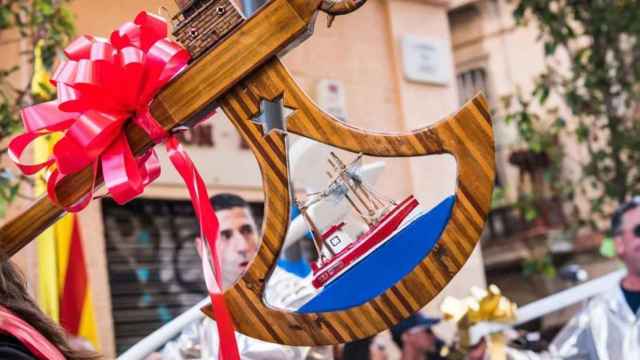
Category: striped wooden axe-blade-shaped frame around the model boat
<point>467,135</point>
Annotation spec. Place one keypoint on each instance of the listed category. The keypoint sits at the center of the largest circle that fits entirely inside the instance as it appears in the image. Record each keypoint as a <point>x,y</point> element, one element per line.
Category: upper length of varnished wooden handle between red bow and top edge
<point>273,27</point>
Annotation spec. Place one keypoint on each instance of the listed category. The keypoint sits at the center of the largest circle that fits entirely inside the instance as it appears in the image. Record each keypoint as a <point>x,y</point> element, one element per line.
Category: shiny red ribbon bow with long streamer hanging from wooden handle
<point>103,85</point>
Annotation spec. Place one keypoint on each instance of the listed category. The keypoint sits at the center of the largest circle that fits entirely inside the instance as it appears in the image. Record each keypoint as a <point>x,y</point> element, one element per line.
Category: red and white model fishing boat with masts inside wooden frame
<point>382,218</point>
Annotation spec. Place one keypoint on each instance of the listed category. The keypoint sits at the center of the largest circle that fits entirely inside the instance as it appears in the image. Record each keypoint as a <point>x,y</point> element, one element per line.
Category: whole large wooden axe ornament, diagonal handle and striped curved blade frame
<point>240,71</point>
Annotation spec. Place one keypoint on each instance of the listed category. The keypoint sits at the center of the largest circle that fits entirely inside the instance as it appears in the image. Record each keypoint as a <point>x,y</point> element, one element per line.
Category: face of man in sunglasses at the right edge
<point>627,243</point>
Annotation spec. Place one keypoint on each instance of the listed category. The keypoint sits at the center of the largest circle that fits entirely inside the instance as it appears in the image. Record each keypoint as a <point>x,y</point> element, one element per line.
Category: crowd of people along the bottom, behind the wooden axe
<point>608,327</point>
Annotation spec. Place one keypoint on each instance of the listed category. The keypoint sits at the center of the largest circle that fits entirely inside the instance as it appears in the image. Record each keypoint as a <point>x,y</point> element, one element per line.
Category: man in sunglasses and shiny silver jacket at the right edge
<point>609,325</point>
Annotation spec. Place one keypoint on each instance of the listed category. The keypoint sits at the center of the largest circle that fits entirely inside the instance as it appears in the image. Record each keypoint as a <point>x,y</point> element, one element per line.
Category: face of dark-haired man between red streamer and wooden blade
<point>237,244</point>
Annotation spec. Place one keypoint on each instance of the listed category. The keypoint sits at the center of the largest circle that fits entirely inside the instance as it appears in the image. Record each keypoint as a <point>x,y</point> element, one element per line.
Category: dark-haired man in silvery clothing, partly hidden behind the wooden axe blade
<point>237,245</point>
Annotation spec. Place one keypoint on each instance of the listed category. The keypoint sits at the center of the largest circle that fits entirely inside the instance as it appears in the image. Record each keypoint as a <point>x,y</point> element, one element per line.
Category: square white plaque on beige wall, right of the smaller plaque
<point>425,60</point>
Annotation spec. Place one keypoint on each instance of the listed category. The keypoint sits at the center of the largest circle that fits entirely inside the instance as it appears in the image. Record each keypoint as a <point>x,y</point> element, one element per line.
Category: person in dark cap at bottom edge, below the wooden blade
<point>415,338</point>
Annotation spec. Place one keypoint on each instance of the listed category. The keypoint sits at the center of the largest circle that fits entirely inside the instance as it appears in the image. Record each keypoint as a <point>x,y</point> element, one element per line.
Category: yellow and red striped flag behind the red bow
<point>64,292</point>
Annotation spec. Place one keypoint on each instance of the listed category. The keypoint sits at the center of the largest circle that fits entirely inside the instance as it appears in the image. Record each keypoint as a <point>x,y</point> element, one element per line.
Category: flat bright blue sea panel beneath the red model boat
<point>384,266</point>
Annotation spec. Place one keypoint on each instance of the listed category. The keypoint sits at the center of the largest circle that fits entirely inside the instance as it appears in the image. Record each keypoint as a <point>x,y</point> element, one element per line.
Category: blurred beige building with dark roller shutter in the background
<point>393,65</point>
